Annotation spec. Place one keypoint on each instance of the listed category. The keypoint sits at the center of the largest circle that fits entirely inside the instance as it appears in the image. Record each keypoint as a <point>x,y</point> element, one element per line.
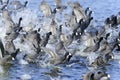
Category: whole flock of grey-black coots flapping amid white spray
<point>57,42</point>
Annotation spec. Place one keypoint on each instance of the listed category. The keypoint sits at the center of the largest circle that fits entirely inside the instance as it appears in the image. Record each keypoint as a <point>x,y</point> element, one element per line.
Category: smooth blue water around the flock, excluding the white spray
<point>102,9</point>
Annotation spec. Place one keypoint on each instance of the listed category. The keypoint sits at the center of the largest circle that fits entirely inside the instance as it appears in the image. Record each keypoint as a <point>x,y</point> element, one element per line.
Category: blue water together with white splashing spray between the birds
<point>32,20</point>
